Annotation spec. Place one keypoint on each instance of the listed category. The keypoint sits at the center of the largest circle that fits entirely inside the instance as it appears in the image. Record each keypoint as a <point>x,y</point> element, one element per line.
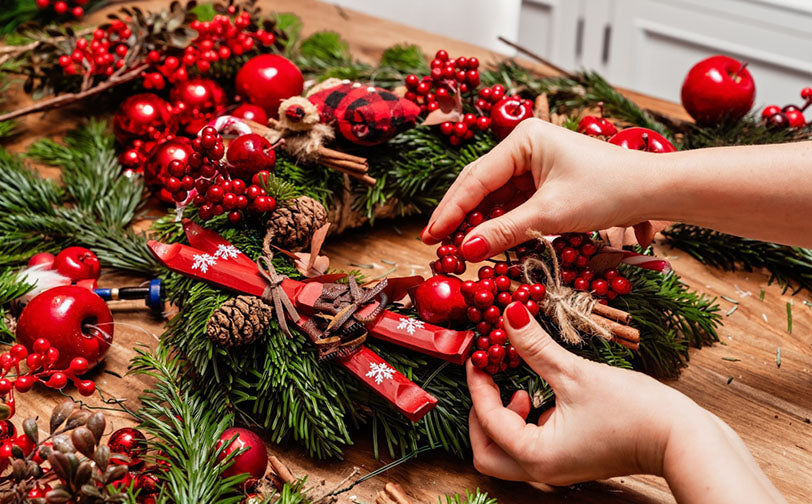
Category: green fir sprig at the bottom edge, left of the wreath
<point>183,425</point>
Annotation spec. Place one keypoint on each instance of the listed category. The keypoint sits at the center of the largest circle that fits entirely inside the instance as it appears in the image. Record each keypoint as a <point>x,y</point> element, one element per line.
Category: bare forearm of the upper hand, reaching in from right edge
<point>762,192</point>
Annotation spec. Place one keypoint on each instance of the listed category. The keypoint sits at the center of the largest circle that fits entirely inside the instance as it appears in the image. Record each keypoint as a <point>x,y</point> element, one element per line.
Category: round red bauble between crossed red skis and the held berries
<point>439,300</point>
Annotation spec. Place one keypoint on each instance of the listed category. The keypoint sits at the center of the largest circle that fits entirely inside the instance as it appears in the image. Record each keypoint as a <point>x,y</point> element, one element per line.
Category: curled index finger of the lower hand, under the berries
<point>504,426</point>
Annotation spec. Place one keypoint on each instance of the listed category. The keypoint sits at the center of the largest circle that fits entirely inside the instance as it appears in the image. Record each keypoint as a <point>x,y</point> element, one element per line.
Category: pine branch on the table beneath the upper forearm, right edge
<point>791,267</point>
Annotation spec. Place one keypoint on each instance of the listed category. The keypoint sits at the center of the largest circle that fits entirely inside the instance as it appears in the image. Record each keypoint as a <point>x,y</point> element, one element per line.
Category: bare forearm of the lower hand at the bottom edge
<point>706,462</point>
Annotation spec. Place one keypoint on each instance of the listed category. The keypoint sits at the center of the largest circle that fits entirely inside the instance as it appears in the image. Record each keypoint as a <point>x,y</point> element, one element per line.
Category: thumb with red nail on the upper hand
<point>497,235</point>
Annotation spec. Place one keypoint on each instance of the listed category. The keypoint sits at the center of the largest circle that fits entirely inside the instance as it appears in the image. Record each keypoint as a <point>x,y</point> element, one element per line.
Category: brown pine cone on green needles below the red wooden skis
<point>239,321</point>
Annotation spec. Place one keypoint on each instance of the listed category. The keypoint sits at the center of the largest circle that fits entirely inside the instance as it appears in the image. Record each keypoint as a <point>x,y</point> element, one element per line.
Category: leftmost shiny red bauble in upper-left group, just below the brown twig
<point>144,116</point>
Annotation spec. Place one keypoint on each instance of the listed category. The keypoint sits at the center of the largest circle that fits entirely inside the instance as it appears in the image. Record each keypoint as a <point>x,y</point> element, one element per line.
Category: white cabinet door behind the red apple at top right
<point>655,42</point>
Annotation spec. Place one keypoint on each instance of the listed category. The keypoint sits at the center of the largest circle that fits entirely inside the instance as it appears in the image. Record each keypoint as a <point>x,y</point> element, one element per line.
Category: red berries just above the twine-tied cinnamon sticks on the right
<point>574,252</point>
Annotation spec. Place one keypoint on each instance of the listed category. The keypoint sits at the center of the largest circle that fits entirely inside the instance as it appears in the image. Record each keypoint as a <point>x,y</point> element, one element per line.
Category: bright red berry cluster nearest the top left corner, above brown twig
<point>102,55</point>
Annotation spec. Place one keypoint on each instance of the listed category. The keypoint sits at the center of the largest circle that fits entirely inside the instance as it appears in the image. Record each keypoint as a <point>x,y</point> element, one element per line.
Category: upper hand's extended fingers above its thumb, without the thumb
<point>478,180</point>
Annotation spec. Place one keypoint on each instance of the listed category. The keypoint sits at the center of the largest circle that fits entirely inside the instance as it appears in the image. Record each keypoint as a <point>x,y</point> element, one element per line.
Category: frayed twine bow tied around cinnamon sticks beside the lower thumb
<point>571,310</point>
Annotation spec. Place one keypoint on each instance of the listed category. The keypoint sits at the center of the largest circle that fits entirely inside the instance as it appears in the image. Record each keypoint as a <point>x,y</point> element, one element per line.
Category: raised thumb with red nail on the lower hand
<point>538,349</point>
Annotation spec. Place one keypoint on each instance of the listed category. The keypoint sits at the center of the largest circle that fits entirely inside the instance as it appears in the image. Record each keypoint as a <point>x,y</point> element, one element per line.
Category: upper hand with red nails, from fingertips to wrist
<point>576,183</point>
